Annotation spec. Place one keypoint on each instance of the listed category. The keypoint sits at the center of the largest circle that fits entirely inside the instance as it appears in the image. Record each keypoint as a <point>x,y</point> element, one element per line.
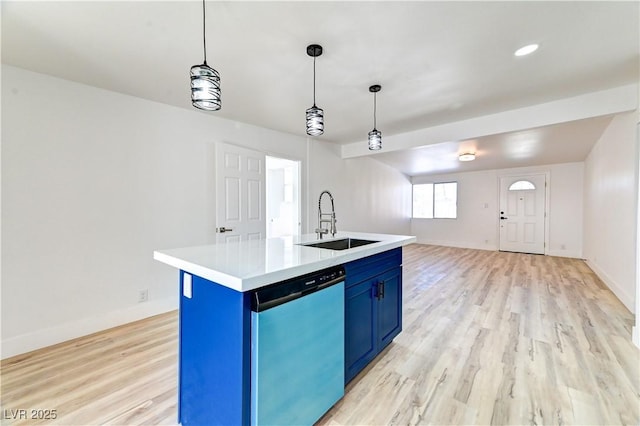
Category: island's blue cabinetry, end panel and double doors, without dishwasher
<point>216,333</point>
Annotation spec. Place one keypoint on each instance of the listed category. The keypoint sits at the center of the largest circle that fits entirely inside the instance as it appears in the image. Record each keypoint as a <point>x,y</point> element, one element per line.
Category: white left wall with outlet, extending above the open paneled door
<point>92,182</point>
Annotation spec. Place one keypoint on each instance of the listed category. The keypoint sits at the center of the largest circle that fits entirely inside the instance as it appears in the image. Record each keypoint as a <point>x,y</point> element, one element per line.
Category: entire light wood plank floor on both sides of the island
<point>489,338</point>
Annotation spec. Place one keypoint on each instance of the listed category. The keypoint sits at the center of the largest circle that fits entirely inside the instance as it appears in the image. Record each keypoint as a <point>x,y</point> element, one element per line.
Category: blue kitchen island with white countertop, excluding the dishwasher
<point>217,283</point>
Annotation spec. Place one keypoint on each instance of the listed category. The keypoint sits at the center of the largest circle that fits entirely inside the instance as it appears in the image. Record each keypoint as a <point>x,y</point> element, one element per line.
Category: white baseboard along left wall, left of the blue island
<point>50,336</point>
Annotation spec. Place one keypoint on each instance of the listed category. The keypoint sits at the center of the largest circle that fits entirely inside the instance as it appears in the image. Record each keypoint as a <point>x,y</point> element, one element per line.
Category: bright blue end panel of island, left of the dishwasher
<point>215,354</point>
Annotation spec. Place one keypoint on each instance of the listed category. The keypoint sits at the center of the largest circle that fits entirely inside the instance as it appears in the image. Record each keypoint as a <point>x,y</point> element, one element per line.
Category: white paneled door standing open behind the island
<point>240,193</point>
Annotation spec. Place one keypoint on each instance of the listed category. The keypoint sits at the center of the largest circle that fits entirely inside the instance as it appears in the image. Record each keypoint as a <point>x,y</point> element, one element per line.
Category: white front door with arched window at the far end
<point>522,213</point>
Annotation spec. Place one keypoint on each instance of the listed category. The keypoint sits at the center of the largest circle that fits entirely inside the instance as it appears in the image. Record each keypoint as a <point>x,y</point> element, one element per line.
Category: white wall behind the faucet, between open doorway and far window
<point>369,195</point>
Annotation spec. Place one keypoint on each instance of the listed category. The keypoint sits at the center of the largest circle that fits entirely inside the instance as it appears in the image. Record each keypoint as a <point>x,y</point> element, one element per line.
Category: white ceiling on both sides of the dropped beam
<point>437,62</point>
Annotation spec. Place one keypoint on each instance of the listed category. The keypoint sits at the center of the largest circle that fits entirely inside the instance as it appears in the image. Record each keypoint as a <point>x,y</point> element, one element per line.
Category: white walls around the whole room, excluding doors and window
<point>93,181</point>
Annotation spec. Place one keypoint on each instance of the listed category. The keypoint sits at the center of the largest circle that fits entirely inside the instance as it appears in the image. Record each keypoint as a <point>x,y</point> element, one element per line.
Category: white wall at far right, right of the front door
<point>611,190</point>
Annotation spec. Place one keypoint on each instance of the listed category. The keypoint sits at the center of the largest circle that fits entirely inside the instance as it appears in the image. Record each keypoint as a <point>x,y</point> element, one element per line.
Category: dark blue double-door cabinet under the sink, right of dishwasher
<point>373,308</point>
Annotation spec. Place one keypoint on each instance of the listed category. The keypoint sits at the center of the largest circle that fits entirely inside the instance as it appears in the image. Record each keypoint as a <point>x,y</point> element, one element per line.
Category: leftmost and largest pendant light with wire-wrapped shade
<point>205,81</point>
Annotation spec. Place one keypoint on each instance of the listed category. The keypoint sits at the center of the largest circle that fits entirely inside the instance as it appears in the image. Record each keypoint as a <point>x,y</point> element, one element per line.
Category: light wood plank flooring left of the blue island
<point>126,375</point>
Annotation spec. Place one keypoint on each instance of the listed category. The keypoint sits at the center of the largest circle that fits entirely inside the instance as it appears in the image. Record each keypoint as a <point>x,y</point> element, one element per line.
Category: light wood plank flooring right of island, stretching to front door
<point>500,338</point>
